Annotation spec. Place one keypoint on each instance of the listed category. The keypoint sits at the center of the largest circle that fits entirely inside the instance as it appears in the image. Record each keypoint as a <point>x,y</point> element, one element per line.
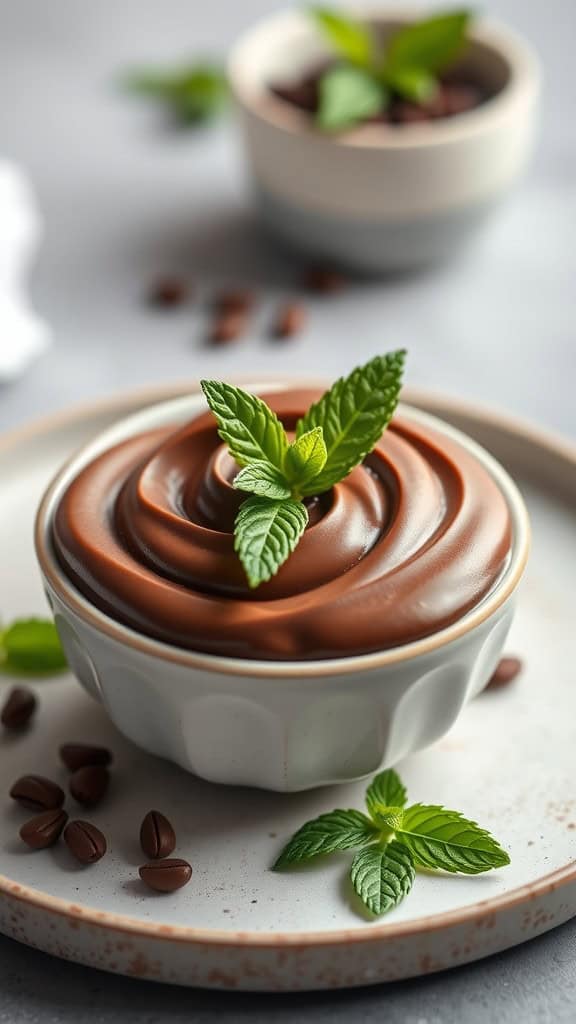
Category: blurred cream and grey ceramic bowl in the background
<point>381,199</point>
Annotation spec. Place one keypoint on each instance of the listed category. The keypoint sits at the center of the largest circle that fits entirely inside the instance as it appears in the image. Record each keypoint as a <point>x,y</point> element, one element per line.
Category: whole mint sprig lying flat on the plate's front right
<point>394,842</point>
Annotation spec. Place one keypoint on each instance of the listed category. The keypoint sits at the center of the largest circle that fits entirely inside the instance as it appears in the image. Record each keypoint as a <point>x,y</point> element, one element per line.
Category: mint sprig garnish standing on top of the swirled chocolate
<point>336,436</point>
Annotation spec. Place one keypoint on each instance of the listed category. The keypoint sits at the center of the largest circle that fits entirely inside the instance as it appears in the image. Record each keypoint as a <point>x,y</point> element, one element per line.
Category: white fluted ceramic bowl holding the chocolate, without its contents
<point>283,727</point>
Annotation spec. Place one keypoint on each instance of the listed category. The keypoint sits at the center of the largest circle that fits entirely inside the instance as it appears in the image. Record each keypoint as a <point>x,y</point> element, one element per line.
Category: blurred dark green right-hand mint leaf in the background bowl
<point>430,46</point>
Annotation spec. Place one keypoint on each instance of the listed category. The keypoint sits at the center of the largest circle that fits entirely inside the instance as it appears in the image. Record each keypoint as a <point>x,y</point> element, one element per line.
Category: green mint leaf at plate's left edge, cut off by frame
<point>31,646</point>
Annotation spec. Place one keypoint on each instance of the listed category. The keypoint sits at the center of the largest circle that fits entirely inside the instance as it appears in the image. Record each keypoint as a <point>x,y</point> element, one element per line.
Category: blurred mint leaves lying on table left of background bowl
<point>192,94</point>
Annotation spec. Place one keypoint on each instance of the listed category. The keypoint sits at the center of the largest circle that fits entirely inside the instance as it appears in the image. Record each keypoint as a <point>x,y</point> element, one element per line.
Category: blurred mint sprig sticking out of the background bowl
<point>367,77</point>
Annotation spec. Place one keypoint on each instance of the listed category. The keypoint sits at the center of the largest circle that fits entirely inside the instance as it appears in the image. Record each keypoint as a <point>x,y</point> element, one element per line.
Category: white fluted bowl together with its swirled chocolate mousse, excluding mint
<point>390,616</point>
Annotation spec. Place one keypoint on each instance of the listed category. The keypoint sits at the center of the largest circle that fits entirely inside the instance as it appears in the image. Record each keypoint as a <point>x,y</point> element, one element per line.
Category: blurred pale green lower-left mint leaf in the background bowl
<point>348,96</point>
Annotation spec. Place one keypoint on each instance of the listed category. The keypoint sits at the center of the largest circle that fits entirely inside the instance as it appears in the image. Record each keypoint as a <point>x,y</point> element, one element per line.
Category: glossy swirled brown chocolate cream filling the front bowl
<point>405,546</point>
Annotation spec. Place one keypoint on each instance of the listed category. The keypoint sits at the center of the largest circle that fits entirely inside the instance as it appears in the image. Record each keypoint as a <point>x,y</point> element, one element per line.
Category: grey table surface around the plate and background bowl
<point>125,200</point>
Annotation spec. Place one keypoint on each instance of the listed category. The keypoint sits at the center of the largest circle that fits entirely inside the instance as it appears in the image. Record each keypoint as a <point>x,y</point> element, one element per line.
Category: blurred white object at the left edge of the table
<point>23,335</point>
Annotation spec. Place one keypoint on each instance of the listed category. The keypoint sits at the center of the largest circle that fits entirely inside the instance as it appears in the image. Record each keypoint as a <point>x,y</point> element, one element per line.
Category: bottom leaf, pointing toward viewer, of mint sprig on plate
<point>383,876</point>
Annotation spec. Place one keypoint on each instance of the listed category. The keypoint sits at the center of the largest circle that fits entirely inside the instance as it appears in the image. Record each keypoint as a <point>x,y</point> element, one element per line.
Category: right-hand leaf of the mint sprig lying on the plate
<point>444,839</point>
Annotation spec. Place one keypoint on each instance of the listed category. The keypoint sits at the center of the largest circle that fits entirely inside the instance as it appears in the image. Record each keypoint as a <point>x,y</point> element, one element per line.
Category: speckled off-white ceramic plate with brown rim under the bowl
<point>509,762</point>
